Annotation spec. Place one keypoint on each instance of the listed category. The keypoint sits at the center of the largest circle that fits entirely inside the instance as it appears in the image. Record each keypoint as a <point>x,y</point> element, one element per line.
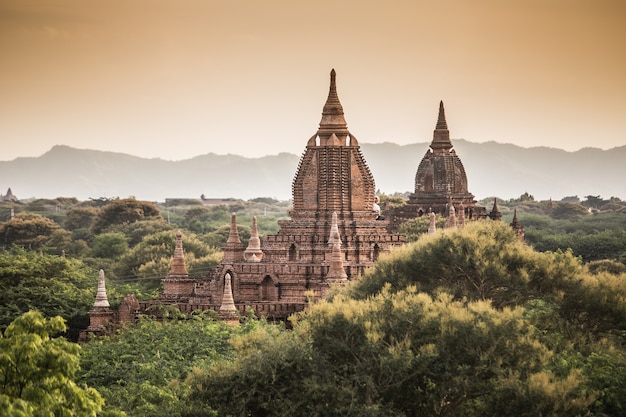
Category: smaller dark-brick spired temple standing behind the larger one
<point>440,181</point>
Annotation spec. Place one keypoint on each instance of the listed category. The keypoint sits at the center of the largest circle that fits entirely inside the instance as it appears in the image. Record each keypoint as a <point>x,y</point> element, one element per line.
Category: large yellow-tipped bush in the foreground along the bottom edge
<point>395,354</point>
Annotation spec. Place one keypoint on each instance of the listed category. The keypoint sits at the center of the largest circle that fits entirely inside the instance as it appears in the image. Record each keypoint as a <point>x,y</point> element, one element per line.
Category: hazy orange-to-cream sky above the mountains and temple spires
<point>177,79</point>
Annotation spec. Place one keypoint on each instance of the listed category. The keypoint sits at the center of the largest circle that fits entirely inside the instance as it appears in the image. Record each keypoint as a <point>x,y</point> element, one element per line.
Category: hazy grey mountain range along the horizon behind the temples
<point>493,170</point>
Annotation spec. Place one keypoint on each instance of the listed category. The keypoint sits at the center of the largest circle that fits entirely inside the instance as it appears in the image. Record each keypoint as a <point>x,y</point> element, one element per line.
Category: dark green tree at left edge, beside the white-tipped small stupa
<point>51,284</point>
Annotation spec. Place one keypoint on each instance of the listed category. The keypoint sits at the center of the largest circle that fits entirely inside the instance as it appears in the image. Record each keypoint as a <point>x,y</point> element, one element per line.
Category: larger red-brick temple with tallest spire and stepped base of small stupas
<point>333,235</point>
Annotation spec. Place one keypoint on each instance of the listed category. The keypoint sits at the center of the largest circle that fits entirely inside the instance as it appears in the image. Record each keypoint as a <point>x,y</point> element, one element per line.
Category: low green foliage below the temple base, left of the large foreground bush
<point>140,370</point>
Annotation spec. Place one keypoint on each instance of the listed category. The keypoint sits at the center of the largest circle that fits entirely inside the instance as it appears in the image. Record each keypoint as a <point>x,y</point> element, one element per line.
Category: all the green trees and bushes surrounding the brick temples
<point>462,323</point>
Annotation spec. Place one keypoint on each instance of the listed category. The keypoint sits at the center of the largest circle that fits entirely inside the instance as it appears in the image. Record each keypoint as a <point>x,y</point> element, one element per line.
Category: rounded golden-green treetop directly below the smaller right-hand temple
<point>470,264</point>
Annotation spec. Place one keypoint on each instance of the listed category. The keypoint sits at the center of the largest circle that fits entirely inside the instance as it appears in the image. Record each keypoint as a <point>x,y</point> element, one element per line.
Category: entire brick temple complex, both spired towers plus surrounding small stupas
<point>335,232</point>
